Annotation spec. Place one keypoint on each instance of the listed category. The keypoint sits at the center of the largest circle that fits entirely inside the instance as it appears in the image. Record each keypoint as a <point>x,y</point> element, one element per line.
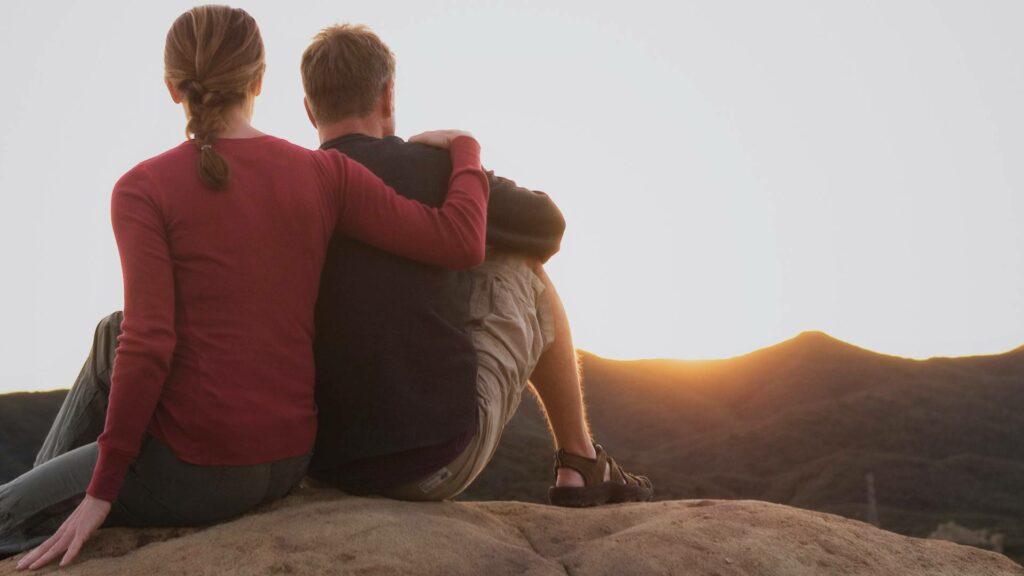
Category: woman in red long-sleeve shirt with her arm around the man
<point>222,241</point>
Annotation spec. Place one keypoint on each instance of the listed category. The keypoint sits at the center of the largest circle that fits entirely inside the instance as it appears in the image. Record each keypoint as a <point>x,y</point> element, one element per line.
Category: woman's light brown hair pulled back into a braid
<point>215,57</point>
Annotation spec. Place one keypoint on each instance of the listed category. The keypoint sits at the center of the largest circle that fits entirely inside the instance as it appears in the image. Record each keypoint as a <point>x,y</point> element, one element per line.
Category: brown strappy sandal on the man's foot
<point>621,486</point>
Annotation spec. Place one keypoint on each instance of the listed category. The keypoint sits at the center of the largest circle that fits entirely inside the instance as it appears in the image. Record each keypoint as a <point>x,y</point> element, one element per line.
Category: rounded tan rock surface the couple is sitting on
<point>320,532</point>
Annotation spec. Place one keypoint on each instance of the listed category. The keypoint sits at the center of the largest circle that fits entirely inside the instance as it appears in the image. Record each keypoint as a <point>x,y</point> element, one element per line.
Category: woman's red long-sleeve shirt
<point>216,356</point>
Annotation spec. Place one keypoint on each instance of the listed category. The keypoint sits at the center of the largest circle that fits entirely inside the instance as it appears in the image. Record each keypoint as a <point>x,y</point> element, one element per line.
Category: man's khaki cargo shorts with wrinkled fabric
<point>513,326</point>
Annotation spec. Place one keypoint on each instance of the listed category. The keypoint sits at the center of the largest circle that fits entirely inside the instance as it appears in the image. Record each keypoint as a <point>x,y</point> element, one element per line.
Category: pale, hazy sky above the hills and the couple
<point>732,173</point>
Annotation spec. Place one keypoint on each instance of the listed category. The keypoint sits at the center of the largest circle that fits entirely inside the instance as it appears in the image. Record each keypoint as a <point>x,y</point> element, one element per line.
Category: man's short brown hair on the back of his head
<point>345,71</point>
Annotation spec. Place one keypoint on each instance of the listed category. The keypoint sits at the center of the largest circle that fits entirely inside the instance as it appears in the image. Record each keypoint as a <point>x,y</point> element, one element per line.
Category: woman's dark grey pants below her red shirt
<point>159,489</point>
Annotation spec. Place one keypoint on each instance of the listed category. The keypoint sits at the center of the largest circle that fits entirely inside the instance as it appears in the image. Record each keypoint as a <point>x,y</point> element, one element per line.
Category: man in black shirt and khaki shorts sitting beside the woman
<point>419,369</point>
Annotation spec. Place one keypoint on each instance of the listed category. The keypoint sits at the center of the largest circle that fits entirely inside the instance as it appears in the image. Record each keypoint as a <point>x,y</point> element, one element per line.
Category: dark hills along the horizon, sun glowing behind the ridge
<point>799,424</point>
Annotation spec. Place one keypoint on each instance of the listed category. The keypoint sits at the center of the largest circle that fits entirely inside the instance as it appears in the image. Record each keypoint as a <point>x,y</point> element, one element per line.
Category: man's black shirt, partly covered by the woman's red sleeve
<point>396,366</point>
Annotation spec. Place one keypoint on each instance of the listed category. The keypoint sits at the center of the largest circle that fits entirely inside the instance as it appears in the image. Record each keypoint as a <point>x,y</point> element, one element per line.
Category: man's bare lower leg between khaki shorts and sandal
<point>557,382</point>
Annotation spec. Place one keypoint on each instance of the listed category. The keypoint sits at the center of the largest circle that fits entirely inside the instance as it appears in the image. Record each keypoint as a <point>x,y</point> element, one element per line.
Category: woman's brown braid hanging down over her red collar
<point>205,122</point>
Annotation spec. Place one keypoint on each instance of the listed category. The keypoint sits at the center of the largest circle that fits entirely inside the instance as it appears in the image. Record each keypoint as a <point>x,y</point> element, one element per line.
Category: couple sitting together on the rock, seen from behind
<point>370,318</point>
